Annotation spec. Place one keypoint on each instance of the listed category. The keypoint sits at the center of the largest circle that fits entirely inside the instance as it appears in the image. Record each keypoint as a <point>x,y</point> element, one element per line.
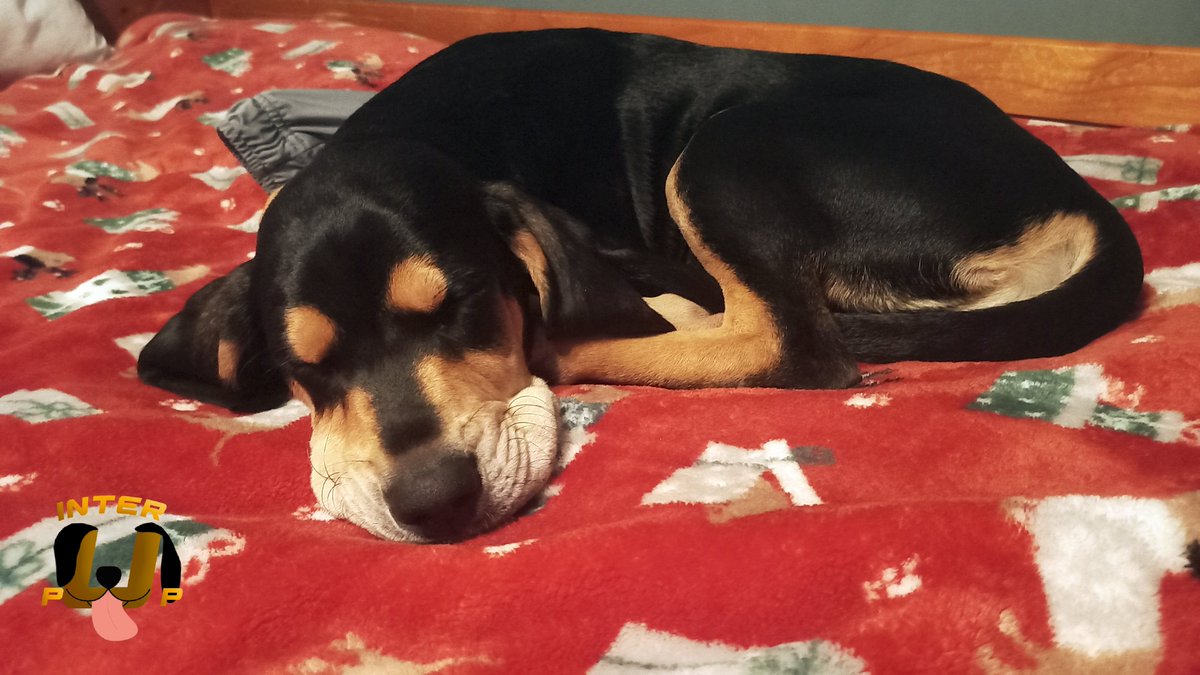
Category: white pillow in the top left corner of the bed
<point>38,37</point>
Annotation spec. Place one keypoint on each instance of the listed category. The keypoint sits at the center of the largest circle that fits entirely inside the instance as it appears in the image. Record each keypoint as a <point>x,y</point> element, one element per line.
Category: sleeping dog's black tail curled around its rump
<point>1087,306</point>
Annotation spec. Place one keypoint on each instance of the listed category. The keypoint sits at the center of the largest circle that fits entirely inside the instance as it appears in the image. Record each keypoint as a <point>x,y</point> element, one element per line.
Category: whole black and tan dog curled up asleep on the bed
<point>580,206</point>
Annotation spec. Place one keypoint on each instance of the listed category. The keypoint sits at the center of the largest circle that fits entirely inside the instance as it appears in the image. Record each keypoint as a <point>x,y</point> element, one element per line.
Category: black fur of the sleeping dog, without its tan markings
<point>793,168</point>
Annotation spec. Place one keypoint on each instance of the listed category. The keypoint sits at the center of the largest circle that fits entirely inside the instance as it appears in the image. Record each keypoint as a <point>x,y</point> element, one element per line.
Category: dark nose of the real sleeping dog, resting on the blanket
<point>435,498</point>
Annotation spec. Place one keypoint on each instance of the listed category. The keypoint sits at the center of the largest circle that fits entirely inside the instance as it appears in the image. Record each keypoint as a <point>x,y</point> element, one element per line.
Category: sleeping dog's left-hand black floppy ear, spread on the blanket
<point>214,350</point>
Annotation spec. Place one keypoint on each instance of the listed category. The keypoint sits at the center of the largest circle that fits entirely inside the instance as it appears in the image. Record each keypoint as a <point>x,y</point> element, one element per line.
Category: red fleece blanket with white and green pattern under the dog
<point>947,518</point>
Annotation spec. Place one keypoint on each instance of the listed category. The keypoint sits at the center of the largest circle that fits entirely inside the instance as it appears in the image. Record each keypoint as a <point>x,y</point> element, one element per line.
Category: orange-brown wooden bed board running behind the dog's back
<point>1093,82</point>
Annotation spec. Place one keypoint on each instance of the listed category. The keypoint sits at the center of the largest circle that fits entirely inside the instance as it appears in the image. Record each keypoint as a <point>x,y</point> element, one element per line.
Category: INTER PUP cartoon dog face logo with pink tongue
<point>75,552</point>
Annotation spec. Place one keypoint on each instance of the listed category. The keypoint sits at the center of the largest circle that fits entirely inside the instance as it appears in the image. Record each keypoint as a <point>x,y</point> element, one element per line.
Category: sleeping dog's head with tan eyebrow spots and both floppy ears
<point>397,297</point>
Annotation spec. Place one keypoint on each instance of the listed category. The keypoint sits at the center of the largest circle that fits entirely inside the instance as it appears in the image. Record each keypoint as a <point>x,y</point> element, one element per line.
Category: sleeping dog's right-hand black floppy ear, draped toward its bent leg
<point>580,291</point>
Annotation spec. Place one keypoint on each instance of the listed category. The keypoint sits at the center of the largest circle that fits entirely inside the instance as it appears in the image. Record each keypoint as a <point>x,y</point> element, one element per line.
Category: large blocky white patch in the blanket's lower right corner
<point>1102,561</point>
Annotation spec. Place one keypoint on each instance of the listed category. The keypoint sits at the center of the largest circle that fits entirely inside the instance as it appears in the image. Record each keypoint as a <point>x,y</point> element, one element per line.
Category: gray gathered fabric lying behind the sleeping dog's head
<point>278,133</point>
